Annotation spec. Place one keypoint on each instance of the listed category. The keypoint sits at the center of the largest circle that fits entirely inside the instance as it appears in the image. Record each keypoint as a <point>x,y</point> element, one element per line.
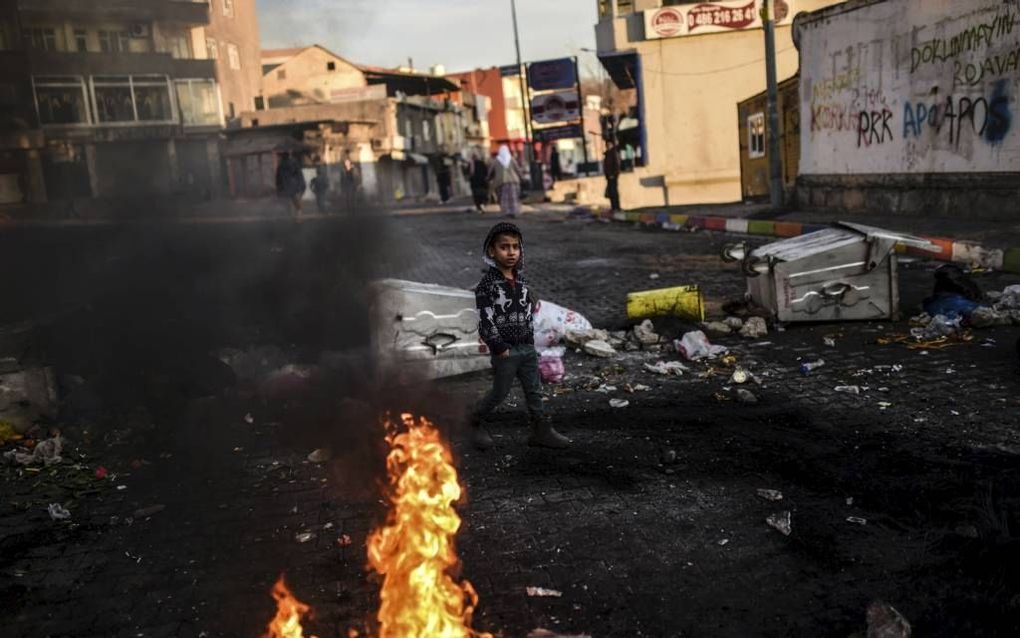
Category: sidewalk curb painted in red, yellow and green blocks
<point>957,252</point>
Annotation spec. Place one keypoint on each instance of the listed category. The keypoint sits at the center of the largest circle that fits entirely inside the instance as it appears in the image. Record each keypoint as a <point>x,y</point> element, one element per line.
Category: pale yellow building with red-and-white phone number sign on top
<point>690,64</point>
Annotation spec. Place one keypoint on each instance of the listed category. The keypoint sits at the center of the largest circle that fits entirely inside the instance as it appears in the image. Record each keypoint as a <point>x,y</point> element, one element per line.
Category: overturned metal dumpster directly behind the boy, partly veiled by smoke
<point>425,331</point>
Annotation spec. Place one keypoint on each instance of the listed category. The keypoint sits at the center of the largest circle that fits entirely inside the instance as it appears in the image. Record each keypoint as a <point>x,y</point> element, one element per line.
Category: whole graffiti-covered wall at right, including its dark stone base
<point>911,108</point>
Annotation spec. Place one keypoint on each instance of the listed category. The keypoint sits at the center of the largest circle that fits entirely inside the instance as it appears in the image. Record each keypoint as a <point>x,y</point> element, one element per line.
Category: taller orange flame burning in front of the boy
<point>415,551</point>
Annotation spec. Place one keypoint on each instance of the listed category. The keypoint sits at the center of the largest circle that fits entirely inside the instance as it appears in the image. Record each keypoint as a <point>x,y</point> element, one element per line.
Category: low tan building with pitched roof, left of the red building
<point>405,130</point>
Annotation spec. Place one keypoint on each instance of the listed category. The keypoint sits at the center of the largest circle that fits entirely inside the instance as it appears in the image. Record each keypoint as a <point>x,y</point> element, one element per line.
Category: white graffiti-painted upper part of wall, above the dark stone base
<point>912,87</point>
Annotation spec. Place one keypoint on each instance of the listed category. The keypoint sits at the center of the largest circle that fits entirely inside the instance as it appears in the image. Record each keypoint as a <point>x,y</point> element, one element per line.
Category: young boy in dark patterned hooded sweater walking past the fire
<point>505,309</point>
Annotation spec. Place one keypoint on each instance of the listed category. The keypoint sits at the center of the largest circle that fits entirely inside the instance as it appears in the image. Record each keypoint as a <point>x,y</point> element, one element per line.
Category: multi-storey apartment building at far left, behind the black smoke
<point>118,101</point>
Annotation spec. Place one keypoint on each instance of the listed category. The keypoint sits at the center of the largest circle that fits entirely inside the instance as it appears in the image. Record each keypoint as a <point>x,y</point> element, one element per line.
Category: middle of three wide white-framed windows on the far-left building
<point>132,99</point>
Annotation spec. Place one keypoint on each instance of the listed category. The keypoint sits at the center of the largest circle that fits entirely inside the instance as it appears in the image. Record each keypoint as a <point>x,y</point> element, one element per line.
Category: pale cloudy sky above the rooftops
<point>457,34</point>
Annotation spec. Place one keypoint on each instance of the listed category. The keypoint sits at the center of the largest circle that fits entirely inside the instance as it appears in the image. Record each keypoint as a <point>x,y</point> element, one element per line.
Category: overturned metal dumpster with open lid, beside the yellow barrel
<point>845,273</point>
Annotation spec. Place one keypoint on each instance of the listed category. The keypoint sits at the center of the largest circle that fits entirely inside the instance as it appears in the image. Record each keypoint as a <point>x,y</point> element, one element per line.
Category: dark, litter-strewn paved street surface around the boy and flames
<point>650,525</point>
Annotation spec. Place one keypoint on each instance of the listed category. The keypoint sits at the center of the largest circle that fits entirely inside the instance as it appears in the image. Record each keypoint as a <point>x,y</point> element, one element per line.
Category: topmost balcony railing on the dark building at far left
<point>184,12</point>
